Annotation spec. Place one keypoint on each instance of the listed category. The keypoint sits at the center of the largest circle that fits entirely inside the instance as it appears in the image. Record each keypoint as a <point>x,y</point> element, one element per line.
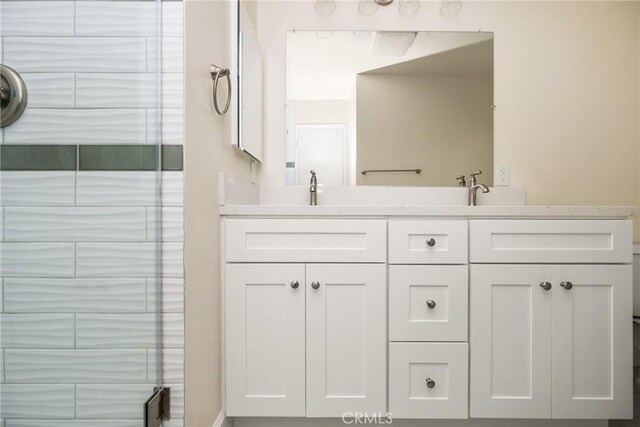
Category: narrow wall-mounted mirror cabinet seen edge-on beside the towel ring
<point>247,102</point>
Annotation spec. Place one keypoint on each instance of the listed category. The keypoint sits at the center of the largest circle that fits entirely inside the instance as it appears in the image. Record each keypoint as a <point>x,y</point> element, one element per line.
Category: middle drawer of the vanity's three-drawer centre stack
<point>428,302</point>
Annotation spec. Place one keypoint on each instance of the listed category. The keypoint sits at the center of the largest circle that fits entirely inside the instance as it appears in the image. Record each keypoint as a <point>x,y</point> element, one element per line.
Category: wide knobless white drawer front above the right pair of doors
<point>551,241</point>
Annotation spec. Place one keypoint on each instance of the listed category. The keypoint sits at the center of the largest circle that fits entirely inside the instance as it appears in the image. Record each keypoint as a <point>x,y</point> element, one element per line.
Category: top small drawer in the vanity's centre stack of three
<point>427,242</point>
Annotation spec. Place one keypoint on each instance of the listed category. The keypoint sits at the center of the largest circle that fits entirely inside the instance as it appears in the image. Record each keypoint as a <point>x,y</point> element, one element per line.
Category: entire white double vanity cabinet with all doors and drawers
<point>487,318</point>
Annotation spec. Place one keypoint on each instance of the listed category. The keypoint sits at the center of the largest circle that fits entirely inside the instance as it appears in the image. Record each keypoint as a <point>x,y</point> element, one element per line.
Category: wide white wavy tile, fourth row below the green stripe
<point>74,295</point>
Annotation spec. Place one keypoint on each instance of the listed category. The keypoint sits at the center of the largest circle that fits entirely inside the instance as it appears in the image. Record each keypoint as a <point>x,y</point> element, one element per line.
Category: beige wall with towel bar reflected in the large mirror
<point>440,124</point>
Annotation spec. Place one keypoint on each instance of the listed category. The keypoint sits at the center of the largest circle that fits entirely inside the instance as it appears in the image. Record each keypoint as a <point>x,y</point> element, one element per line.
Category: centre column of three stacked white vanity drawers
<point>428,306</point>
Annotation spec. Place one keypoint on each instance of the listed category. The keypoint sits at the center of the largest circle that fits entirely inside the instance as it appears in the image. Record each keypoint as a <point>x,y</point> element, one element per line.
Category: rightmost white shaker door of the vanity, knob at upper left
<point>592,353</point>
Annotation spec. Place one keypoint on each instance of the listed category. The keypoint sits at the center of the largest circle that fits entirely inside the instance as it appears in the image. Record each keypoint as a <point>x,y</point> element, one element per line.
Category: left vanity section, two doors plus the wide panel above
<point>306,338</point>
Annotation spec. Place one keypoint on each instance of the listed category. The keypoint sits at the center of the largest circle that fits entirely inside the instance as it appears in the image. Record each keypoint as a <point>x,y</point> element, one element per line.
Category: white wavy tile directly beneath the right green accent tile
<point>117,188</point>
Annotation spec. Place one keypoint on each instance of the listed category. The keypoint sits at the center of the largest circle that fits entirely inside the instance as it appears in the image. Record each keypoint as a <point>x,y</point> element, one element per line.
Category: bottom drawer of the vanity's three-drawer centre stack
<point>412,365</point>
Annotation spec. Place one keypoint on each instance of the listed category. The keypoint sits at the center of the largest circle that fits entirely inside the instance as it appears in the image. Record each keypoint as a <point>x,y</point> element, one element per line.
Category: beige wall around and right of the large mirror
<point>566,89</point>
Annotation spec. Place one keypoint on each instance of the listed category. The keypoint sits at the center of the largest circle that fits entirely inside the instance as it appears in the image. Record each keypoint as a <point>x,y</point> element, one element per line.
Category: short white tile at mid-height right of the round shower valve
<point>50,90</point>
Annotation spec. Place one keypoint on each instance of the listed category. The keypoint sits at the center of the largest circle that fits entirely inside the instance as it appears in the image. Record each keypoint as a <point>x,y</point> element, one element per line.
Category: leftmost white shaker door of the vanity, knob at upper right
<point>265,339</point>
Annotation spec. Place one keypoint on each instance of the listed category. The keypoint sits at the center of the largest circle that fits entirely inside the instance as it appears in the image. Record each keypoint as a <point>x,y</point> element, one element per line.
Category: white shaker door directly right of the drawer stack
<point>510,349</point>
